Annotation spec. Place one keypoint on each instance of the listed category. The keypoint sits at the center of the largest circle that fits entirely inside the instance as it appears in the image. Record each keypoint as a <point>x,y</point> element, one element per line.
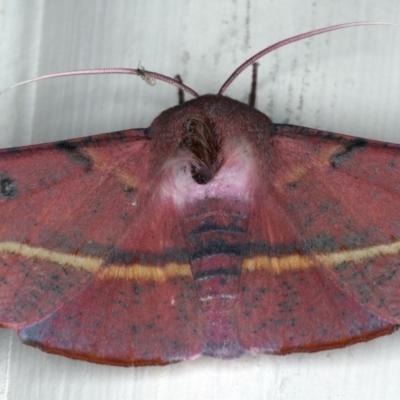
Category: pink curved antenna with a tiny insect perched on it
<point>147,75</point>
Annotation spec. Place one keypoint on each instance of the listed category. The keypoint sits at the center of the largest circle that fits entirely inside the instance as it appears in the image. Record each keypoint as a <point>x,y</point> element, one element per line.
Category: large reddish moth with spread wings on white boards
<point>213,232</point>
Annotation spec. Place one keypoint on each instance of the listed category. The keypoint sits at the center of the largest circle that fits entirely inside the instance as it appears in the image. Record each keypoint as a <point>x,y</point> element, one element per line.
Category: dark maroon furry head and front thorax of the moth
<point>200,136</point>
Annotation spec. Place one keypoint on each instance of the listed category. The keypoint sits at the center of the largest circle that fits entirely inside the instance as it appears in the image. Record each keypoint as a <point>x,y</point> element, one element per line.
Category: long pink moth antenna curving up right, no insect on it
<point>292,39</point>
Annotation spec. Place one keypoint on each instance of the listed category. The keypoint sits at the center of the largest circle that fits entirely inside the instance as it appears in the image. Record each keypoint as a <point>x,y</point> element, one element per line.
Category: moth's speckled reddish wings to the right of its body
<point>324,272</point>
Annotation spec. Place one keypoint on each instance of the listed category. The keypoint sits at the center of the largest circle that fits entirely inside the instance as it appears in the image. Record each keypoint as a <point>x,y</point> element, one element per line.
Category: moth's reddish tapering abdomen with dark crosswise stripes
<point>214,240</point>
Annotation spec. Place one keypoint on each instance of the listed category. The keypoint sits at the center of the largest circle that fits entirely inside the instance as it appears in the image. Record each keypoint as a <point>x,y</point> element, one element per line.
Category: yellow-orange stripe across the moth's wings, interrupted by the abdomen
<point>161,273</point>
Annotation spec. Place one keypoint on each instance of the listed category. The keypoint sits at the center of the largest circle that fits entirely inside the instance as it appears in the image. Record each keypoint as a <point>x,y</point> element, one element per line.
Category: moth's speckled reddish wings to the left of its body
<point>87,261</point>
